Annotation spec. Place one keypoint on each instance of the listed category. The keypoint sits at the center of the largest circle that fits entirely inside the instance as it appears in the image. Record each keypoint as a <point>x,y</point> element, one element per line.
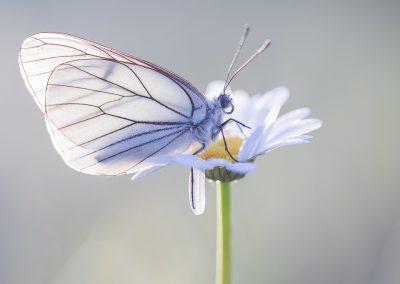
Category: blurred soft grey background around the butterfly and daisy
<point>327,212</point>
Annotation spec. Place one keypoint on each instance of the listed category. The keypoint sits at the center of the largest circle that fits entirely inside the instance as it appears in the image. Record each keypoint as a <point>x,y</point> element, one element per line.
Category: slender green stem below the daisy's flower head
<point>223,263</point>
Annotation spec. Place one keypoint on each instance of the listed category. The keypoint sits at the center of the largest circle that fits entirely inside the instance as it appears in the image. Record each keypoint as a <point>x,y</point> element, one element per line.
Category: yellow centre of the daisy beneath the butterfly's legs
<point>217,149</point>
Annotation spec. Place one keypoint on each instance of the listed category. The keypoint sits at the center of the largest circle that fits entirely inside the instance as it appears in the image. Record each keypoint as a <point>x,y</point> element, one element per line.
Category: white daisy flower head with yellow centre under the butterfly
<point>264,132</point>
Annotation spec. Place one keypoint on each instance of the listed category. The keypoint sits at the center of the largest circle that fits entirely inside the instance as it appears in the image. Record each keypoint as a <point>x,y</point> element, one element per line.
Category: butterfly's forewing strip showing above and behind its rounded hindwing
<point>41,53</point>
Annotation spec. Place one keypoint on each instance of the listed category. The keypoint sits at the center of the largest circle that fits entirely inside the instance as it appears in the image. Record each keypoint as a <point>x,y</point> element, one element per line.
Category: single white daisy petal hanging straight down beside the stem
<point>197,194</point>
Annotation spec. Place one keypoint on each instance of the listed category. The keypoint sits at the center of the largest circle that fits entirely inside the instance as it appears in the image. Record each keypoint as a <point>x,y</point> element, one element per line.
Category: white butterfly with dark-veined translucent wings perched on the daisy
<point>108,112</point>
